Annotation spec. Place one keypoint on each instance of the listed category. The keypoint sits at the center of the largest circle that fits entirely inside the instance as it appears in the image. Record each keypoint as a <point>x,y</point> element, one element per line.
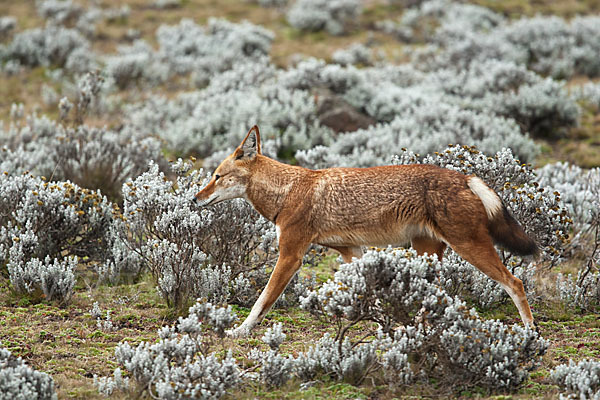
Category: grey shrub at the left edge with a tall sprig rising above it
<point>96,158</point>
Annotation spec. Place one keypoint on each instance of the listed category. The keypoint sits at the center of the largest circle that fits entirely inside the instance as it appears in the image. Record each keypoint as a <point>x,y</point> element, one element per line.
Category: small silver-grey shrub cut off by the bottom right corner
<point>582,380</point>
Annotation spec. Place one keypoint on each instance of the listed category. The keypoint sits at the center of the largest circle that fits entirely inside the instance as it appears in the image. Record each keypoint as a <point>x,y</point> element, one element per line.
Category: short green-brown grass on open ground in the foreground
<point>66,343</point>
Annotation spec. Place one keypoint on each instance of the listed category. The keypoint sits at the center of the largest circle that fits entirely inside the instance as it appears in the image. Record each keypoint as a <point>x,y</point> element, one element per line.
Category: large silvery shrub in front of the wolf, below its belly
<point>417,320</point>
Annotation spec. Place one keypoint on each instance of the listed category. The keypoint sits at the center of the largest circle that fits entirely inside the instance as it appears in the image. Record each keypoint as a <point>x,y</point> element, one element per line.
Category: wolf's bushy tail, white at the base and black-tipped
<point>503,228</point>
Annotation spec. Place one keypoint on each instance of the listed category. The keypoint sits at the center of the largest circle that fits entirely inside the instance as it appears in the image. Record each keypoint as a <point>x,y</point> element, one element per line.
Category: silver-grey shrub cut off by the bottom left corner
<point>21,382</point>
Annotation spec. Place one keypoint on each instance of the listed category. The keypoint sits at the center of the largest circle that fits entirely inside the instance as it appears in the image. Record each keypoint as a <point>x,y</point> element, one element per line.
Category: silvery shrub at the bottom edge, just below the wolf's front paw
<point>178,366</point>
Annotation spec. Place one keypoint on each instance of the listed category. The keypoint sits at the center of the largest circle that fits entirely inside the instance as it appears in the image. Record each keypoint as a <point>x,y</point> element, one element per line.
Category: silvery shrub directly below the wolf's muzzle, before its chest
<point>190,253</point>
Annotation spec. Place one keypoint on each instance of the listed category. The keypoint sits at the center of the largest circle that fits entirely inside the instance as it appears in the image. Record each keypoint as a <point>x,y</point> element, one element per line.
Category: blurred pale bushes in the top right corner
<point>463,33</point>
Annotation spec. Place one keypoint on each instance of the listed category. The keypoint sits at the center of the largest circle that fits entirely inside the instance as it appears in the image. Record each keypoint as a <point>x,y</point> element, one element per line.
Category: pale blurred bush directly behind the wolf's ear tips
<point>212,119</point>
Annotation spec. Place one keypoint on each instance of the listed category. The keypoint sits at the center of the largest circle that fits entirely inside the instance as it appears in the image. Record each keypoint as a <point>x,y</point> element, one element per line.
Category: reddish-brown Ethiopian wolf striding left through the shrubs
<point>346,208</point>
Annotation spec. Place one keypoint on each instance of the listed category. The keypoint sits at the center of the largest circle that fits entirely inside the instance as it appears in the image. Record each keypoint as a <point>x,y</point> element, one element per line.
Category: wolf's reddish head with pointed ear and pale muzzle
<point>231,177</point>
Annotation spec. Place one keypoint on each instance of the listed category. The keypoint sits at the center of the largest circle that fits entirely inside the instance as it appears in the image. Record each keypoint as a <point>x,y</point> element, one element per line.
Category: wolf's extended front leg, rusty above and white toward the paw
<point>289,261</point>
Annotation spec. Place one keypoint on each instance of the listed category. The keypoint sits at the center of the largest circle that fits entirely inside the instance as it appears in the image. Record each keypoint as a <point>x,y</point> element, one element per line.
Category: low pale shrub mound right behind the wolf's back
<point>423,129</point>
